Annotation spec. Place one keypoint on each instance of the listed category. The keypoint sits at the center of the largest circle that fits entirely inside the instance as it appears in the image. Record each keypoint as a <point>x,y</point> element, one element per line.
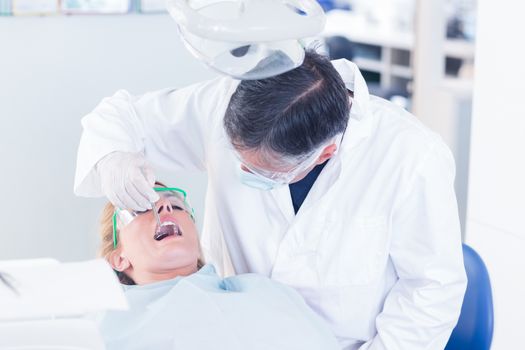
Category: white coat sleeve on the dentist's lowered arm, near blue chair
<point>423,307</point>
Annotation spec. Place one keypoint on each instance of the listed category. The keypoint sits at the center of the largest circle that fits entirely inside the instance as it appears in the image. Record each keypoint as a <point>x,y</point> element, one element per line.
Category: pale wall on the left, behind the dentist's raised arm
<point>53,71</point>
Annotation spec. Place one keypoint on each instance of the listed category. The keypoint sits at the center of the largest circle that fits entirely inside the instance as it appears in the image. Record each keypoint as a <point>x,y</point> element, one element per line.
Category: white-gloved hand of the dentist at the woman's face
<point>127,181</point>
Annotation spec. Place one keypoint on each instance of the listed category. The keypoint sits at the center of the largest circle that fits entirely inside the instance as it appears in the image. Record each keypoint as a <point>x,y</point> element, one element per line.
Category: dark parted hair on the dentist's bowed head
<point>292,113</point>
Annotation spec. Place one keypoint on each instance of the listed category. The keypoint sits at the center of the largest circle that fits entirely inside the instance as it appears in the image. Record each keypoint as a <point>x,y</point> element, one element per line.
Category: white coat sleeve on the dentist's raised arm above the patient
<point>171,127</point>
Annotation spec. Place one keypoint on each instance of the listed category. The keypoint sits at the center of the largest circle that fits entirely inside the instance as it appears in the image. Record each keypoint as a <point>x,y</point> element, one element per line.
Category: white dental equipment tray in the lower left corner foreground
<point>45,304</point>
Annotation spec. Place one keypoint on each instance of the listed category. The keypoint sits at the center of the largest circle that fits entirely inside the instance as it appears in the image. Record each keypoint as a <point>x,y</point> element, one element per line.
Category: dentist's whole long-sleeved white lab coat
<point>375,248</point>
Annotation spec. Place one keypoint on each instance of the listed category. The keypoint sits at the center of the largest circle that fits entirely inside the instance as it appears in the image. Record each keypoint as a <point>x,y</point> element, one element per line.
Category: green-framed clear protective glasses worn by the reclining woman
<point>176,196</point>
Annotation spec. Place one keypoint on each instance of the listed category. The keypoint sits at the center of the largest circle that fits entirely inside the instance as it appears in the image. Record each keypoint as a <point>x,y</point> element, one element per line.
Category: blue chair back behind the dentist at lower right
<point>476,322</point>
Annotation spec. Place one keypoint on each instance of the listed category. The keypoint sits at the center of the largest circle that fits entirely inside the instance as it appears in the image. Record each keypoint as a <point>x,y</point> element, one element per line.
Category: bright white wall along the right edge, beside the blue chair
<point>496,197</point>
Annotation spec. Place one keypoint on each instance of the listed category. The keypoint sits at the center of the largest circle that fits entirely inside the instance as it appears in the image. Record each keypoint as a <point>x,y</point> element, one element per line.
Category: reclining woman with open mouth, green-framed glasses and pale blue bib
<point>176,302</point>
